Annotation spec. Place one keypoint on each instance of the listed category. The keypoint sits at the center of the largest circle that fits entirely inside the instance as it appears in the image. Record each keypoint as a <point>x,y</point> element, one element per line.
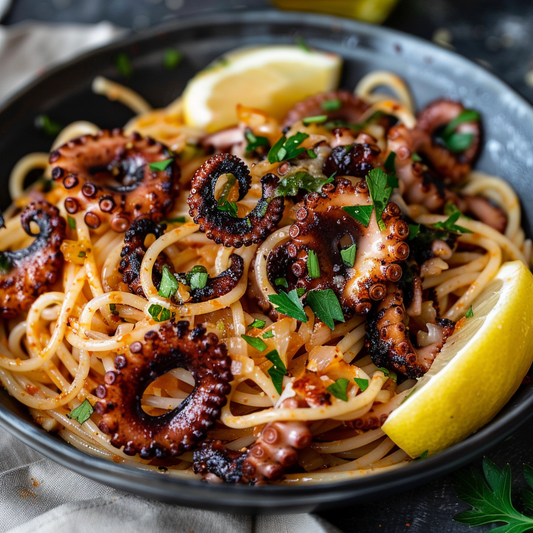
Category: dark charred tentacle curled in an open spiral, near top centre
<point>220,225</point>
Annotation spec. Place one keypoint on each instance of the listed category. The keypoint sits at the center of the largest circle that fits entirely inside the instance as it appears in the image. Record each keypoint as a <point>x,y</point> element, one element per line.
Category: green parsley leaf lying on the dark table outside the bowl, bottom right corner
<point>491,499</point>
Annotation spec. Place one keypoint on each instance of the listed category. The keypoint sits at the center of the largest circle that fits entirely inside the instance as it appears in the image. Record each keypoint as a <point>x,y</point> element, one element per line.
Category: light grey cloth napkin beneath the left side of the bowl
<point>36,494</point>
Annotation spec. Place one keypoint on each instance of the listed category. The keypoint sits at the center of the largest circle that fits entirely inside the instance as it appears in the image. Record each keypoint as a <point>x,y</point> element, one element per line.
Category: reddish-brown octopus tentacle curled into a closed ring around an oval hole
<point>174,345</point>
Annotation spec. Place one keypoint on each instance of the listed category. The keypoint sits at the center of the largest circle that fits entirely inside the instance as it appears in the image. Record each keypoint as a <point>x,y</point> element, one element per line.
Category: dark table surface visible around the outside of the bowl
<point>495,33</point>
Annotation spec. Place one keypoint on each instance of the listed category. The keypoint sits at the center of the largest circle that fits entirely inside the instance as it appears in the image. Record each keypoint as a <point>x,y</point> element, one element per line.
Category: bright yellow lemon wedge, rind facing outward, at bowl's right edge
<point>478,370</point>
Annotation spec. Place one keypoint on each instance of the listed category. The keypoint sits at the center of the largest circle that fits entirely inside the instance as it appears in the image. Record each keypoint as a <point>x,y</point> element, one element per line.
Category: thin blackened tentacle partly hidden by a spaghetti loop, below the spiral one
<point>134,249</point>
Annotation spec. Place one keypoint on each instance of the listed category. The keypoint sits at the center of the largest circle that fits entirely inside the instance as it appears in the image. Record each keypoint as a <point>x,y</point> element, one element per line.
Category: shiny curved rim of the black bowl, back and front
<point>264,499</point>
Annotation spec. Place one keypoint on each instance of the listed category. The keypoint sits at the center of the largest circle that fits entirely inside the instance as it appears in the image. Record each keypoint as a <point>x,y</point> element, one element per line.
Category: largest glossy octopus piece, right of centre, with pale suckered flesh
<point>324,227</point>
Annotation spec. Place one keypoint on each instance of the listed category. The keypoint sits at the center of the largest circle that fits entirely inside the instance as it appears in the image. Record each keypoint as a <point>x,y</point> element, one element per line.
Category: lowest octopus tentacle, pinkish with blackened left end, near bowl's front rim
<point>266,459</point>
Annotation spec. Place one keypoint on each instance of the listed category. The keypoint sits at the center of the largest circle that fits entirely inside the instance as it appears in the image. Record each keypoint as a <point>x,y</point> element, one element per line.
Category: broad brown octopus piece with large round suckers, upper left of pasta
<point>108,175</point>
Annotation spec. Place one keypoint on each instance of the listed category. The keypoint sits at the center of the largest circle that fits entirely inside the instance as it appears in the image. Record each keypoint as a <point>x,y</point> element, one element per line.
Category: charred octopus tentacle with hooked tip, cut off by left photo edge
<point>27,273</point>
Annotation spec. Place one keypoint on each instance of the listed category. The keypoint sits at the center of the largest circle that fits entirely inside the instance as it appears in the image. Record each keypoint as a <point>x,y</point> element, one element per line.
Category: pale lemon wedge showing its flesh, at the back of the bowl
<point>270,78</point>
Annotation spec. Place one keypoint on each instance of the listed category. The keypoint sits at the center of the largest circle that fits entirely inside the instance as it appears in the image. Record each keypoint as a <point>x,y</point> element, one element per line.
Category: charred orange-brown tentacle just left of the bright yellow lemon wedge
<point>388,338</point>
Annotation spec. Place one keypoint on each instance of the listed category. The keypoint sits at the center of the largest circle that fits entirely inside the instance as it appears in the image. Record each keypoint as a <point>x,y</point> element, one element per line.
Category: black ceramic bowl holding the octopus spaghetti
<point>431,72</point>
